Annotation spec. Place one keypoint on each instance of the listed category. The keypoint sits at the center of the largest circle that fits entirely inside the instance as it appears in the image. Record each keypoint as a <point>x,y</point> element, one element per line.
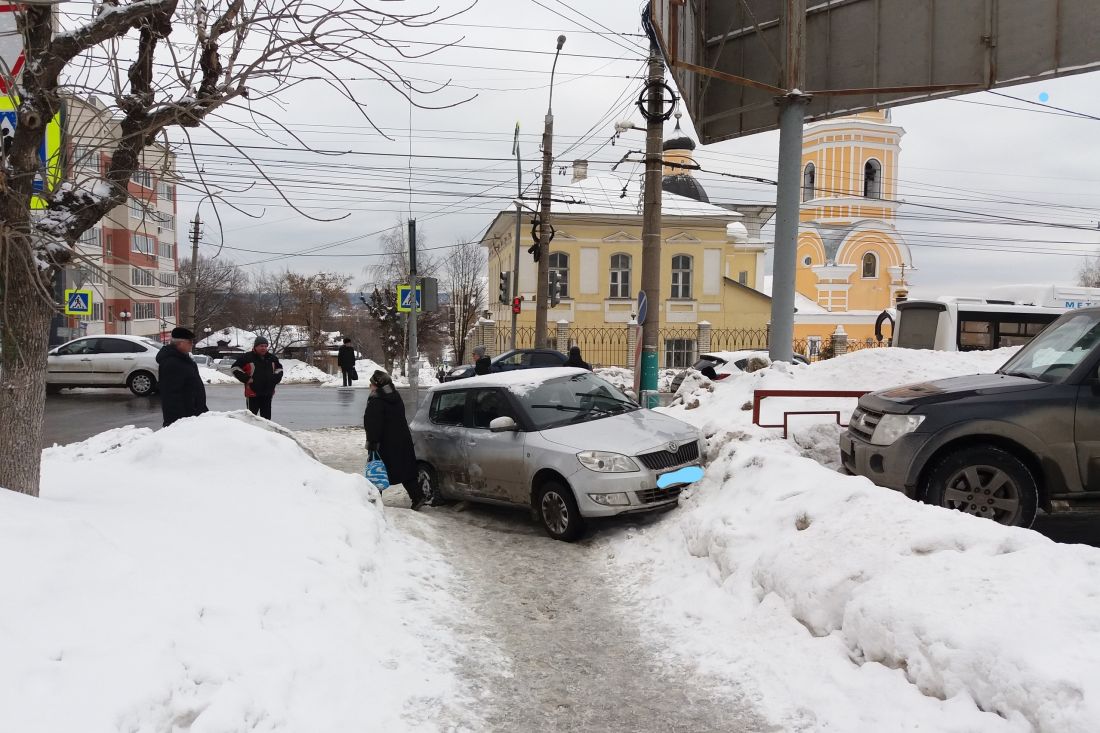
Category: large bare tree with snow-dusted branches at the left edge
<point>222,54</point>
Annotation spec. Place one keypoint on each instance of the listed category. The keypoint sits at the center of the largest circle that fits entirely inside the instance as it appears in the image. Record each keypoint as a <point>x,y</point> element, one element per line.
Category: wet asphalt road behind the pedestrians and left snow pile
<point>80,414</point>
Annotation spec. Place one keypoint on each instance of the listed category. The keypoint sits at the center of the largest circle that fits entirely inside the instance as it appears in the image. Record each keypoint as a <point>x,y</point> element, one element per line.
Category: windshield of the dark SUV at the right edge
<point>1054,354</point>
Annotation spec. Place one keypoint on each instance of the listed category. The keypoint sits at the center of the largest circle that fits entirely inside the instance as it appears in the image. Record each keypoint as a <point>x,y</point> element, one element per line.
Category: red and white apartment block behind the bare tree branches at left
<point>130,259</point>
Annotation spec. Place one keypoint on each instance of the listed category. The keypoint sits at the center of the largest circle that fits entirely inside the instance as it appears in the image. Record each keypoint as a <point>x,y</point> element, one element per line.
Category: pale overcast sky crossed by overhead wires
<point>977,159</point>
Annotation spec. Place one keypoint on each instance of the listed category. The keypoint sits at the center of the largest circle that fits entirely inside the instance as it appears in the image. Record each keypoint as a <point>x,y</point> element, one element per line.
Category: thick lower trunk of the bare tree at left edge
<point>26,323</point>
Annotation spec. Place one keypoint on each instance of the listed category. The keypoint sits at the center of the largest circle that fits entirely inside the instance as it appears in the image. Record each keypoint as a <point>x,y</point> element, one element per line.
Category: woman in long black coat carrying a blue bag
<point>388,433</point>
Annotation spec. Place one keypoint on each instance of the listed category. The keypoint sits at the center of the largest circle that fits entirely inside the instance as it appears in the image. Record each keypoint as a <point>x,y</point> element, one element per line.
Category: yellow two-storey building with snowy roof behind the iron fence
<point>711,269</point>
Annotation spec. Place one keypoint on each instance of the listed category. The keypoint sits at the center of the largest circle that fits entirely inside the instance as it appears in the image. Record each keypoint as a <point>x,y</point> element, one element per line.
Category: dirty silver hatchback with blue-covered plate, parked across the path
<point>563,442</point>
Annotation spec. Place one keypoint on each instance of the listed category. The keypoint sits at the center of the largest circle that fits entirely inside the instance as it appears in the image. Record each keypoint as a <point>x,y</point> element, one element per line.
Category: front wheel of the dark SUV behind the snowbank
<point>985,482</point>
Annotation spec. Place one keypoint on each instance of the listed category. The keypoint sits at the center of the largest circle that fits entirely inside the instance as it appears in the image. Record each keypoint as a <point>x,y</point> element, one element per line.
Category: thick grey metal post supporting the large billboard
<point>791,114</point>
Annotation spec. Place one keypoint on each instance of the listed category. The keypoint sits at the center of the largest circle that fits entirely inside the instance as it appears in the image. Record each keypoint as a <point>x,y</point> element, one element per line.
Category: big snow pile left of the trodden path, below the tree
<point>259,595</point>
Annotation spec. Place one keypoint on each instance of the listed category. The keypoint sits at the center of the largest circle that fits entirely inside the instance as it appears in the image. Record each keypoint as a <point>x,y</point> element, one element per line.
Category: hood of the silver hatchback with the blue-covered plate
<point>631,434</point>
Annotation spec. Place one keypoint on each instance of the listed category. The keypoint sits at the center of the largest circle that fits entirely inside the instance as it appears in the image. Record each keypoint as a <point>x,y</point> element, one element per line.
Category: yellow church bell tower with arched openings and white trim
<point>852,260</point>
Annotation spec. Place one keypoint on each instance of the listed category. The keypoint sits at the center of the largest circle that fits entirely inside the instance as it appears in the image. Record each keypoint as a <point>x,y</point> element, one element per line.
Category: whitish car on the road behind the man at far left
<point>105,362</point>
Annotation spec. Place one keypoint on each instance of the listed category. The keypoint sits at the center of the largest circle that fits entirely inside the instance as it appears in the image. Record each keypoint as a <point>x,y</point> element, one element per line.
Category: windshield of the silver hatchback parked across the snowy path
<point>569,400</point>
